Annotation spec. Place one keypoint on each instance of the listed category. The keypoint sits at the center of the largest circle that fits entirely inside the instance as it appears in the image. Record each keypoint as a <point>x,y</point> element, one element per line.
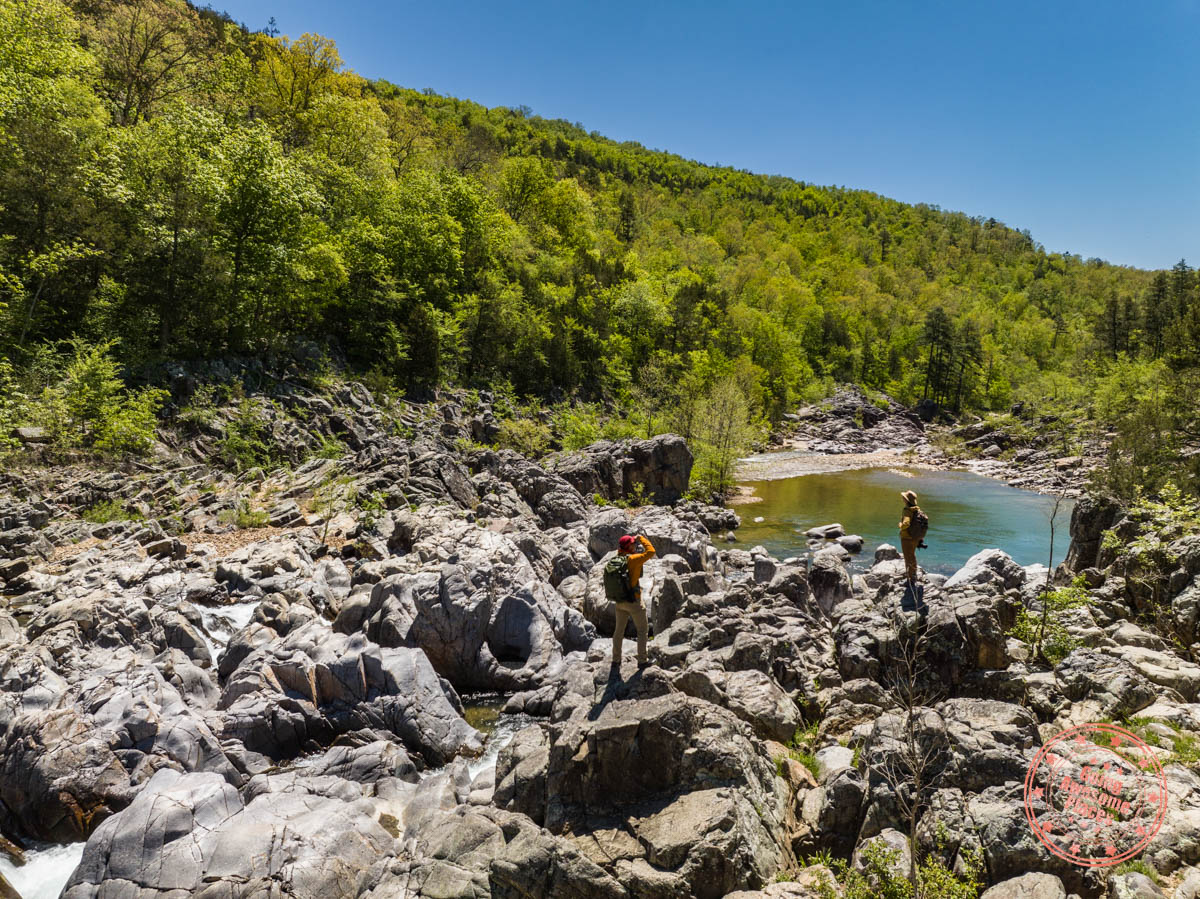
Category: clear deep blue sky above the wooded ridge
<point>1078,122</point>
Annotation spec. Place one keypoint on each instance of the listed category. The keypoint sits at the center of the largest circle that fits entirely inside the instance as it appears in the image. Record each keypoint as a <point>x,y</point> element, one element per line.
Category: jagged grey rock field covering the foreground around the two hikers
<point>254,685</point>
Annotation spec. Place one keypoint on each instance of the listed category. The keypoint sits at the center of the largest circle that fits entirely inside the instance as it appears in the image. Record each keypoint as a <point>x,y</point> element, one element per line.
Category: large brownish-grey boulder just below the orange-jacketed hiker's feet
<point>695,792</point>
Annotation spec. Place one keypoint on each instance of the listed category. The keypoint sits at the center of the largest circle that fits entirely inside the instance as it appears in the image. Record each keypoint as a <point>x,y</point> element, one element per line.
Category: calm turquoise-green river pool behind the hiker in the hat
<point>967,512</point>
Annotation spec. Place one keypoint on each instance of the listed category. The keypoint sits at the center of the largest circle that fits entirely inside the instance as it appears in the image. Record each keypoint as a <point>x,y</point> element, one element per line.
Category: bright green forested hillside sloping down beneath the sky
<point>183,188</point>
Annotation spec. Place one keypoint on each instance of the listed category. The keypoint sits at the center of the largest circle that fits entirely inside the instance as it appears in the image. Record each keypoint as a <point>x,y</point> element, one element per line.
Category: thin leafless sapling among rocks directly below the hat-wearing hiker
<point>916,742</point>
